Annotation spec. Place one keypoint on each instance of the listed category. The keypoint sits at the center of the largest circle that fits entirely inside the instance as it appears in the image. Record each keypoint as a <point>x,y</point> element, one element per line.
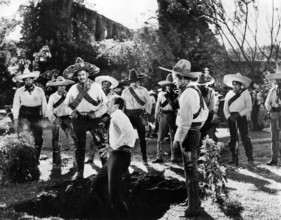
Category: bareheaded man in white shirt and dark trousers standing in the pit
<point>121,141</point>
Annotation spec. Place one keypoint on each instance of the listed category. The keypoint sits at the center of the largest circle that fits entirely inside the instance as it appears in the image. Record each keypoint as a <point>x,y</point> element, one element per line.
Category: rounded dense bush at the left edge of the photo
<point>18,162</point>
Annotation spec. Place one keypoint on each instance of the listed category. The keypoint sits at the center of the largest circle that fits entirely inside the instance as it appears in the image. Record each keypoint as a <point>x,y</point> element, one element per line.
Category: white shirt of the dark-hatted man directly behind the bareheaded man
<point>131,103</point>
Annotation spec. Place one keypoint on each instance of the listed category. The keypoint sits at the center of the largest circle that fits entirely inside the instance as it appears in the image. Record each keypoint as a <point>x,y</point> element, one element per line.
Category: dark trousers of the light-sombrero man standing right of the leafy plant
<point>243,130</point>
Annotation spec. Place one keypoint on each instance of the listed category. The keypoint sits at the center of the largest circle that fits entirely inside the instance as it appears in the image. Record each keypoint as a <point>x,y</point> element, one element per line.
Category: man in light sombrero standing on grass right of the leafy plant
<point>237,105</point>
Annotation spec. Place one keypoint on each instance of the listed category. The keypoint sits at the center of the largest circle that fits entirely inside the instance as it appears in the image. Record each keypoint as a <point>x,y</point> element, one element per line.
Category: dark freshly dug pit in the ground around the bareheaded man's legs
<point>148,196</point>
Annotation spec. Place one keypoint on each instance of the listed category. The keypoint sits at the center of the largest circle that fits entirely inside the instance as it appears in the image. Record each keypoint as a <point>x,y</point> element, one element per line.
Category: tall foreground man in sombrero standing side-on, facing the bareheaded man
<point>191,116</point>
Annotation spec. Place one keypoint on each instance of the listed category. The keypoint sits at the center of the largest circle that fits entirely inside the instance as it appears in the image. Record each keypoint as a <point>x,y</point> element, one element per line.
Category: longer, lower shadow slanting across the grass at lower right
<point>260,184</point>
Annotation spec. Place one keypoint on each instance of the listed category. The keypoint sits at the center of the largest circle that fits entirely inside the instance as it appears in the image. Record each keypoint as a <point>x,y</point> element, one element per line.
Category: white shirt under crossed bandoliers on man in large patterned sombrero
<point>95,92</point>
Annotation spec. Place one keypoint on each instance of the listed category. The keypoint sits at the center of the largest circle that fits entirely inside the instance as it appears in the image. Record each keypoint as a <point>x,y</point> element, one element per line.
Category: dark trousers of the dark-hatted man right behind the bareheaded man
<point>138,123</point>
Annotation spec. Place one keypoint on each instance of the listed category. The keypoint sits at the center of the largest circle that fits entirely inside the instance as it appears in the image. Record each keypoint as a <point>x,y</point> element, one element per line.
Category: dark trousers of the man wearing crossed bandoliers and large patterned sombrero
<point>81,125</point>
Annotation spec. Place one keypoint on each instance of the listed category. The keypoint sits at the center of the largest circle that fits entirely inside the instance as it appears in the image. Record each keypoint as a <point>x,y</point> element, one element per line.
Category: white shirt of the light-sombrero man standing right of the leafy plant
<point>242,105</point>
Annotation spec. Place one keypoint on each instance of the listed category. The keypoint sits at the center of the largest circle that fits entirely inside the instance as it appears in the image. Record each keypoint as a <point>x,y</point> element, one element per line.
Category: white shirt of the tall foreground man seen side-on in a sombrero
<point>189,102</point>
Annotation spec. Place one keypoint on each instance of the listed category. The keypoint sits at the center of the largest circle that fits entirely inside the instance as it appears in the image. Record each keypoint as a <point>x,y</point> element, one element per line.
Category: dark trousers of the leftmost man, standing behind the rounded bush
<point>33,123</point>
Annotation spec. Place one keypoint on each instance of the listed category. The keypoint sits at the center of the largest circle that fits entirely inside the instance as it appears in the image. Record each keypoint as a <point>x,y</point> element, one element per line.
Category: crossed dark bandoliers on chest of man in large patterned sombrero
<point>83,94</point>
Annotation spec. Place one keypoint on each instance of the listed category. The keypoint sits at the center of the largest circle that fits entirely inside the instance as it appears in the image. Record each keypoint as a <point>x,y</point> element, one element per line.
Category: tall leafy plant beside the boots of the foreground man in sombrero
<point>213,172</point>
